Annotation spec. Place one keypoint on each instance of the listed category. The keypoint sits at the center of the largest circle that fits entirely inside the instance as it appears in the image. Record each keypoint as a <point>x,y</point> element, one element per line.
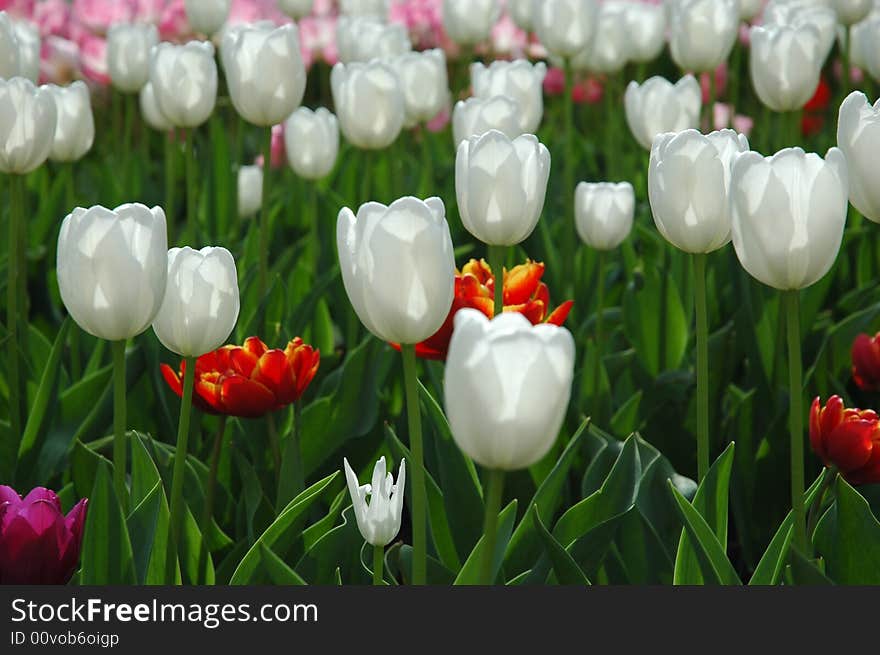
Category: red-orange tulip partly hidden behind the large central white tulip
<point>475,288</point>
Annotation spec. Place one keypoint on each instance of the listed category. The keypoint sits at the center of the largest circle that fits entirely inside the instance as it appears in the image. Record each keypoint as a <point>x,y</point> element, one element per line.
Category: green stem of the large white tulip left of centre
<point>419,494</point>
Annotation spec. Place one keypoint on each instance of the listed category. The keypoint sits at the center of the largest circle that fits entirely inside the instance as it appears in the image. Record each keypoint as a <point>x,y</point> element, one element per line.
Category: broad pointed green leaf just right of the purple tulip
<point>106,550</point>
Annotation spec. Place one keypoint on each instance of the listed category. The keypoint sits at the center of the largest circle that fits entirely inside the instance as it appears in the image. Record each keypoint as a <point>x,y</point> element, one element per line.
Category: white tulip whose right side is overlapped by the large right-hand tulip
<point>689,187</point>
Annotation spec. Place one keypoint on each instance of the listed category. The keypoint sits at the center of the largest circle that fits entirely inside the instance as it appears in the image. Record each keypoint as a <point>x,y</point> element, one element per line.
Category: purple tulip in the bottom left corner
<point>38,544</point>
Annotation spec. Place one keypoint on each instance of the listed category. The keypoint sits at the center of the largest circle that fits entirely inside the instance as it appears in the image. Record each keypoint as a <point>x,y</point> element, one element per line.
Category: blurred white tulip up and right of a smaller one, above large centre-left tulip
<point>369,103</point>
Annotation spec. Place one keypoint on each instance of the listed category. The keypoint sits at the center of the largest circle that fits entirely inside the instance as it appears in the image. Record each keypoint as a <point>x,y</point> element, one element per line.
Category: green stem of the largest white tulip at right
<point>796,419</point>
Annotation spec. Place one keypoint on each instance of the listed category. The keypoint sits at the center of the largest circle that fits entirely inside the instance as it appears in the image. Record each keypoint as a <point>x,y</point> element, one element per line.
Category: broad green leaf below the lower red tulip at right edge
<point>848,538</point>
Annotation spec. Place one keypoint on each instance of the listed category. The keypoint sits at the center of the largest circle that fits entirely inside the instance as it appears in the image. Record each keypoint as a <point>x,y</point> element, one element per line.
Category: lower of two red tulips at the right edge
<point>848,439</point>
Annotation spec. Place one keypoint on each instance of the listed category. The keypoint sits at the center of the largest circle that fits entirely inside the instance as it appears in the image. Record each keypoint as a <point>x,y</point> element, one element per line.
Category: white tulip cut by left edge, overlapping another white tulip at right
<point>27,125</point>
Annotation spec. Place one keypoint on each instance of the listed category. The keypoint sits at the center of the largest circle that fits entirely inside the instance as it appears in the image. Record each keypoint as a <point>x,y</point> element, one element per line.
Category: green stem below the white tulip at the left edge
<point>13,272</point>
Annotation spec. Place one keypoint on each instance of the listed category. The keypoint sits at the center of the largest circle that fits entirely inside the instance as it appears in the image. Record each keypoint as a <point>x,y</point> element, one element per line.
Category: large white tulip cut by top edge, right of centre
<point>702,32</point>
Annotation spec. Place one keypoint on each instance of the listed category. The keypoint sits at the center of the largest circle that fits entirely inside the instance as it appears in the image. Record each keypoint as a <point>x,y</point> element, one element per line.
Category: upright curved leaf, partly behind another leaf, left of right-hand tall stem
<point>710,503</point>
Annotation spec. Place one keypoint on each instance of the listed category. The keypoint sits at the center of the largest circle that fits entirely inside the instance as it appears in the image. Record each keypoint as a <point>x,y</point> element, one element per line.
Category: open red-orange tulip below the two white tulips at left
<point>250,380</point>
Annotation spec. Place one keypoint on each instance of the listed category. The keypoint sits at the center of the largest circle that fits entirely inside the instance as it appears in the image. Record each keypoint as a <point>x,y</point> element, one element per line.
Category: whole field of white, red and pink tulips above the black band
<point>406,292</point>
